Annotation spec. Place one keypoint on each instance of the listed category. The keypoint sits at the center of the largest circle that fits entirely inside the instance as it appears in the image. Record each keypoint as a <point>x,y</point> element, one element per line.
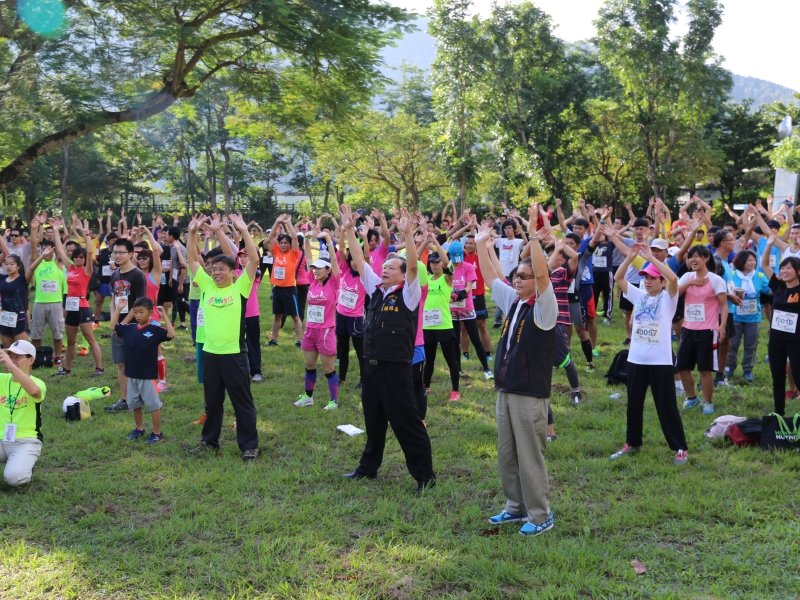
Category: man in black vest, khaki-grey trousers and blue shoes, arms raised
<point>523,370</point>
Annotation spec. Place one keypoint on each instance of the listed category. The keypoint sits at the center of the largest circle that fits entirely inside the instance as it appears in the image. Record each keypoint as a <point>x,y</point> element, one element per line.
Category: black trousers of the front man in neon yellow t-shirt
<point>228,373</point>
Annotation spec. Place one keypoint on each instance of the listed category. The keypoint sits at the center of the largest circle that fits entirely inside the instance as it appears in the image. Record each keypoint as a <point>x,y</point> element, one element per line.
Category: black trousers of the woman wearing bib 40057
<point>661,380</point>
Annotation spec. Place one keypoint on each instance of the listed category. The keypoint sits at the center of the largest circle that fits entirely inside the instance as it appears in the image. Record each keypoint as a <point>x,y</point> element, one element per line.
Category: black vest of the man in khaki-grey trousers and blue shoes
<point>527,367</point>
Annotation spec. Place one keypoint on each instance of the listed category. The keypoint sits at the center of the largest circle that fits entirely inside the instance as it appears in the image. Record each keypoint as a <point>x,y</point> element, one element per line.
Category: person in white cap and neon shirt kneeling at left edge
<point>20,414</point>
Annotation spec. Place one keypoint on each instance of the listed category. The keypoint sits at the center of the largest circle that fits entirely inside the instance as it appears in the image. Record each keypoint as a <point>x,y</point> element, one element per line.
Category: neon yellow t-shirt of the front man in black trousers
<point>224,313</point>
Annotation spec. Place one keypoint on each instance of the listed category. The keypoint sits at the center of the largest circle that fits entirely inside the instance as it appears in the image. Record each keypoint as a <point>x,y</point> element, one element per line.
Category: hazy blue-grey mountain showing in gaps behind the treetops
<point>419,48</point>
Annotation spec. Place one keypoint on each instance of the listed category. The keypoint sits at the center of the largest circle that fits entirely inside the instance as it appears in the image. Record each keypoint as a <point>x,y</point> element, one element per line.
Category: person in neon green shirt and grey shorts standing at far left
<point>47,308</point>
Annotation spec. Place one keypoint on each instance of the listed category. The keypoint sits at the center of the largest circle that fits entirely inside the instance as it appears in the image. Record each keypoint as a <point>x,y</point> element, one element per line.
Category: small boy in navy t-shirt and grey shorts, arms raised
<point>141,339</point>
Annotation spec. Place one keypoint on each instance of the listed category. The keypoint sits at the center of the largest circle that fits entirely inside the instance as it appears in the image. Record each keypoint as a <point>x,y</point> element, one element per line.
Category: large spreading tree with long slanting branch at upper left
<point>141,57</point>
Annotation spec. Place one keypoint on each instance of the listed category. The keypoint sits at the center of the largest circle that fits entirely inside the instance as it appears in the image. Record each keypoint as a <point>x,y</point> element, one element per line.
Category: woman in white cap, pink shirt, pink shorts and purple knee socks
<point>319,340</point>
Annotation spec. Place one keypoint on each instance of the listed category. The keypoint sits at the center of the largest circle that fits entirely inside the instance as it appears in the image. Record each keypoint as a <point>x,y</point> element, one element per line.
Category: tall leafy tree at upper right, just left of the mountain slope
<point>671,85</point>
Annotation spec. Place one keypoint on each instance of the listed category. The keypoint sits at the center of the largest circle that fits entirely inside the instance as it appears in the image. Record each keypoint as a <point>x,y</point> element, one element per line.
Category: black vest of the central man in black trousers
<point>390,327</point>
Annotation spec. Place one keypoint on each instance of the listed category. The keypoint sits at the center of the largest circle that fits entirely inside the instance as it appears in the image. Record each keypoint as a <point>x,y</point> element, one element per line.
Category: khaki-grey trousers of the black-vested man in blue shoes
<point>521,442</point>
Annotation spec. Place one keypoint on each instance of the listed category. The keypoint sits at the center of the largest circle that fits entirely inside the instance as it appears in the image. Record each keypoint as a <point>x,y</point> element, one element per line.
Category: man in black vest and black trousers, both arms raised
<point>390,330</point>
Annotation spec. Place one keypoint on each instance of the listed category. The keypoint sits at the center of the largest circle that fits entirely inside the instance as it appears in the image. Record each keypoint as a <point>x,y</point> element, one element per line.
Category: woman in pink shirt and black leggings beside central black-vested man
<point>349,315</point>
